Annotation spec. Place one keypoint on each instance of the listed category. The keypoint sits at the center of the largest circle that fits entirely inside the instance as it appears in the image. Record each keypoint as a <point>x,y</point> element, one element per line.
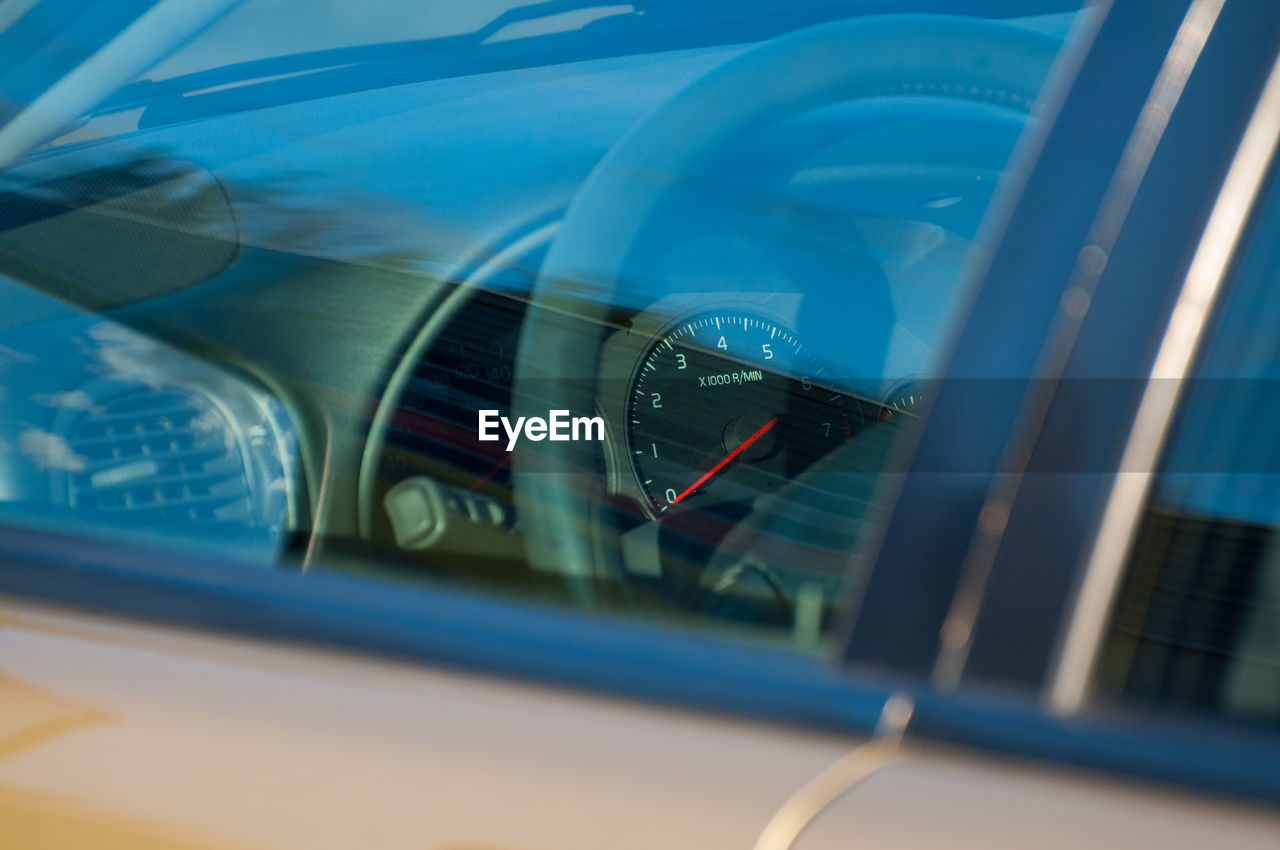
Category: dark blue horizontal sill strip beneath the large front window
<point>459,629</point>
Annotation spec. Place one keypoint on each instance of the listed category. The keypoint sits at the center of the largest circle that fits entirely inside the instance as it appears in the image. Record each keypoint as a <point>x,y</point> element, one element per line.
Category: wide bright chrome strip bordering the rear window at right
<point>1072,678</point>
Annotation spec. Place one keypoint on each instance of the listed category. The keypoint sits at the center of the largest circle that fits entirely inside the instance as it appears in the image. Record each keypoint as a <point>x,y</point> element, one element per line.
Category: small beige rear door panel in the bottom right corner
<point>963,801</point>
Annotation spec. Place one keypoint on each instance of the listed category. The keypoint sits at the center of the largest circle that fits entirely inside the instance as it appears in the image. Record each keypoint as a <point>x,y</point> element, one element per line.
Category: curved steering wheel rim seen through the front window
<point>561,344</point>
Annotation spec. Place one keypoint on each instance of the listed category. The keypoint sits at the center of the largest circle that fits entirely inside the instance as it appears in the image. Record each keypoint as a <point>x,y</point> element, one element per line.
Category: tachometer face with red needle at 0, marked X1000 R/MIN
<point>728,406</point>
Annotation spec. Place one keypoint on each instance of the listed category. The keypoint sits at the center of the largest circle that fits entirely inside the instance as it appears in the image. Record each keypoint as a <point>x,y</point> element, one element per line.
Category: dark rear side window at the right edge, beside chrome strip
<point>1197,624</point>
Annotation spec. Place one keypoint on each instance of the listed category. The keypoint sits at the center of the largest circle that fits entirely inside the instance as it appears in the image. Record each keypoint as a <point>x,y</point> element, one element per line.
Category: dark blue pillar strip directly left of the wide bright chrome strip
<point>1035,559</point>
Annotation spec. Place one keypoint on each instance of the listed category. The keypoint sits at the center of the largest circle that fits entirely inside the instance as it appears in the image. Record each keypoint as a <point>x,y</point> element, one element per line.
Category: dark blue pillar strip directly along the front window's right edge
<point>1039,236</point>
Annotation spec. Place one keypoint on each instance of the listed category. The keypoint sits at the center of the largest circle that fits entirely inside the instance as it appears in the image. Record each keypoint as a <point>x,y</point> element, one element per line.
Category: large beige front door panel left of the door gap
<point>220,739</point>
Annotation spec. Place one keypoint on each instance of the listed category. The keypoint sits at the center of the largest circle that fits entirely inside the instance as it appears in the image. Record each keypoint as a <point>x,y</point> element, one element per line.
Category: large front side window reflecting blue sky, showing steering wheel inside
<point>624,307</point>
